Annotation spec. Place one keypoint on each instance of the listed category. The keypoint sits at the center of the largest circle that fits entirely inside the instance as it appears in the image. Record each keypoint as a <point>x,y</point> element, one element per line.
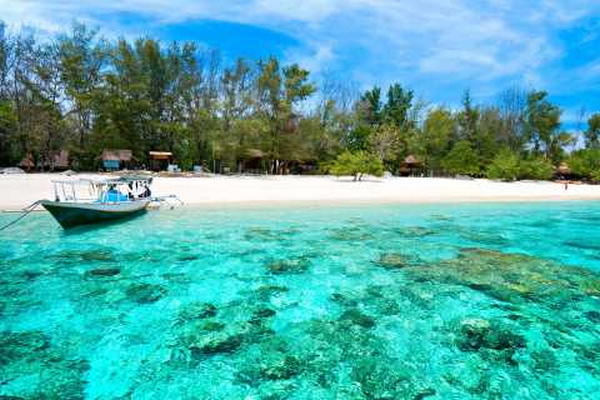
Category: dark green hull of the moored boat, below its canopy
<point>70,215</point>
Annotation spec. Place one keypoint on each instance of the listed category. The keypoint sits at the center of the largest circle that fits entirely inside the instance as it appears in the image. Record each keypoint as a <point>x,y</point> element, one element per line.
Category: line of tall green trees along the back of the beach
<point>82,92</point>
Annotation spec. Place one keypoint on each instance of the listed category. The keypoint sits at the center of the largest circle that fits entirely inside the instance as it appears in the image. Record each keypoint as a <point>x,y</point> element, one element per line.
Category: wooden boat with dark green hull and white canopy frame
<point>84,201</point>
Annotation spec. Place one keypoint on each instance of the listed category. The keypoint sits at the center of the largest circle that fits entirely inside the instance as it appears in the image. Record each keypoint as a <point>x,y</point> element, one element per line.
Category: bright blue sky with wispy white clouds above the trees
<point>438,48</point>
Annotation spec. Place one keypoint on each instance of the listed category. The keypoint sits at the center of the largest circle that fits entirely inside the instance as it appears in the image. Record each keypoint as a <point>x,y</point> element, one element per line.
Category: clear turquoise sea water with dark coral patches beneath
<point>493,301</point>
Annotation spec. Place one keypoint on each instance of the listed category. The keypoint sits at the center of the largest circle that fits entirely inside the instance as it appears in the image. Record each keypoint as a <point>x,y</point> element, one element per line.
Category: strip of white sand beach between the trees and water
<point>18,191</point>
